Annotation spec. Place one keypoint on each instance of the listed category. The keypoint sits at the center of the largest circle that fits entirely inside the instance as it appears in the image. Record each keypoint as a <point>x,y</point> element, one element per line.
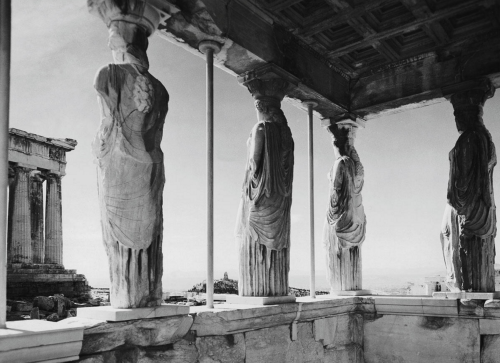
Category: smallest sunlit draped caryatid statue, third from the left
<point>345,223</point>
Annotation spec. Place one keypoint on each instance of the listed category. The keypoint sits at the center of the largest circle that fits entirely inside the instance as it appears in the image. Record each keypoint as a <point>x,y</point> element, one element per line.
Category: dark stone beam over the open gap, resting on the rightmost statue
<point>426,79</point>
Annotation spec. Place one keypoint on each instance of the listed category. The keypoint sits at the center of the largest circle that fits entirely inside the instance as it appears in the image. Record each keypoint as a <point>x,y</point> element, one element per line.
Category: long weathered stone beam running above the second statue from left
<point>251,40</point>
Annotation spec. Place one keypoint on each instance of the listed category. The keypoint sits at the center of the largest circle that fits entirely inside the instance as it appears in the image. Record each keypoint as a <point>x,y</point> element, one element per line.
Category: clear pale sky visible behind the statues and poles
<point>57,47</point>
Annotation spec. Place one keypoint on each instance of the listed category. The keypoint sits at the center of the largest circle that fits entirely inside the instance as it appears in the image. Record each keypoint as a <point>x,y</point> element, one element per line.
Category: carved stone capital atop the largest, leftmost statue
<point>137,12</point>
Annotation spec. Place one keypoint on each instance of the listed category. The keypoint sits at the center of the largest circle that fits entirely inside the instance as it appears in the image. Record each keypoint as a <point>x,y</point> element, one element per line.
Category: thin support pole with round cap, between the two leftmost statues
<point>209,48</point>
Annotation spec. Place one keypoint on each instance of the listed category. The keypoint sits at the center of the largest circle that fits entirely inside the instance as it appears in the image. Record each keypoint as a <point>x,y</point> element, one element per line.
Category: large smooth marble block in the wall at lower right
<point>418,339</point>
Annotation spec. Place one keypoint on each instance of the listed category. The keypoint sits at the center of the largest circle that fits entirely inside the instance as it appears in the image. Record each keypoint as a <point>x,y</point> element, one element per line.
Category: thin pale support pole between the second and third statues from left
<point>312,281</point>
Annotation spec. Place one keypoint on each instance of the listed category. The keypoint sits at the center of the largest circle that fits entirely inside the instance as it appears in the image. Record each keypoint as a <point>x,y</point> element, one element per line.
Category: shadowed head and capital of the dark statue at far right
<point>468,104</point>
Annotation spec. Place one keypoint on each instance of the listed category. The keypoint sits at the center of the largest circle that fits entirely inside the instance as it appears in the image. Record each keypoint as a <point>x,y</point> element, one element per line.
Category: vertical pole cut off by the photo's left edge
<point>5,29</point>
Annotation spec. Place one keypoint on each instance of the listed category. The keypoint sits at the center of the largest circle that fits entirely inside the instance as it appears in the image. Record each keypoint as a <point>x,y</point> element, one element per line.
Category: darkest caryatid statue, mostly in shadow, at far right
<point>469,223</point>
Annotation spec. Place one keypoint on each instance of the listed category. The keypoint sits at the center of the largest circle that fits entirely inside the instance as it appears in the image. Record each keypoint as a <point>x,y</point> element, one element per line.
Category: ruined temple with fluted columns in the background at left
<point>35,241</point>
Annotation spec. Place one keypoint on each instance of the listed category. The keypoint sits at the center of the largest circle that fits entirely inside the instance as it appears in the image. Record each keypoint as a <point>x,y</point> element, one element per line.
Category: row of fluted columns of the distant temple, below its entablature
<point>28,240</point>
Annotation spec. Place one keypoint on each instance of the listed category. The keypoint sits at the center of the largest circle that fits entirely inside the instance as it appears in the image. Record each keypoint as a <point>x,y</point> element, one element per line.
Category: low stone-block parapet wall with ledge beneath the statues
<point>342,330</point>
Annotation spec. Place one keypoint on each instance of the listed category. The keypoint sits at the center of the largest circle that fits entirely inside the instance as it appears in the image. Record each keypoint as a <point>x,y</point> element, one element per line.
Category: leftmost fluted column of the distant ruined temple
<point>19,237</point>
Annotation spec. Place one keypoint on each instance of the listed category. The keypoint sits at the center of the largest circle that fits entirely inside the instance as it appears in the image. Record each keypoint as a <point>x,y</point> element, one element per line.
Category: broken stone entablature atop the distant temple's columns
<point>39,152</point>
